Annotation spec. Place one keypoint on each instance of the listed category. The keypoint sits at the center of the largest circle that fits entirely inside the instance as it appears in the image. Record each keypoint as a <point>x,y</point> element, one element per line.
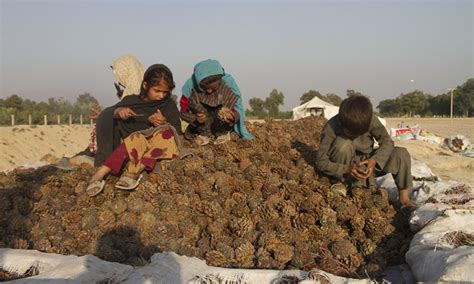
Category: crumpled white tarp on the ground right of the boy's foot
<point>430,257</point>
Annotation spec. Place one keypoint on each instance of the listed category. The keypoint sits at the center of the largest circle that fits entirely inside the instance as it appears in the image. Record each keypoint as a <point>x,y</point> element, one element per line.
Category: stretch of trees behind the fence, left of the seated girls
<point>22,108</point>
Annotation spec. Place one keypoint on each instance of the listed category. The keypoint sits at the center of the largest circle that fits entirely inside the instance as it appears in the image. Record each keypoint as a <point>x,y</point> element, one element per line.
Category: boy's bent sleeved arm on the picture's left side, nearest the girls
<point>323,163</point>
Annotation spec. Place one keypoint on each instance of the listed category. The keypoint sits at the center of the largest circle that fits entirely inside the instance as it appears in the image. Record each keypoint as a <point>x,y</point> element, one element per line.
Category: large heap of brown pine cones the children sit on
<point>252,204</point>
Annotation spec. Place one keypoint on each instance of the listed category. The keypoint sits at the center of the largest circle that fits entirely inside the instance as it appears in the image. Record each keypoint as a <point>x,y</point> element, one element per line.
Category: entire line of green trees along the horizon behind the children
<point>409,104</point>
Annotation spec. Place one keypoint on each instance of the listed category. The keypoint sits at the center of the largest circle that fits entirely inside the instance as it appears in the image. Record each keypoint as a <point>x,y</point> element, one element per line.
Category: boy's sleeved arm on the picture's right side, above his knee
<point>386,146</point>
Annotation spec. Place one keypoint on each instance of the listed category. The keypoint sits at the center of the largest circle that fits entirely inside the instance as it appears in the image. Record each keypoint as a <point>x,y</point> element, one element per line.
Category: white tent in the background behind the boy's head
<point>318,107</point>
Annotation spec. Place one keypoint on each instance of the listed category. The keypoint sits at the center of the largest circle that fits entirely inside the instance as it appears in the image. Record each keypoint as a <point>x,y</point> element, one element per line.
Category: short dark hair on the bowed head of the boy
<point>355,114</point>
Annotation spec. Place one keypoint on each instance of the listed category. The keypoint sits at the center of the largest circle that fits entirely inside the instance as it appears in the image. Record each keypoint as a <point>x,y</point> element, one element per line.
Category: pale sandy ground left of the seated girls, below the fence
<point>24,144</point>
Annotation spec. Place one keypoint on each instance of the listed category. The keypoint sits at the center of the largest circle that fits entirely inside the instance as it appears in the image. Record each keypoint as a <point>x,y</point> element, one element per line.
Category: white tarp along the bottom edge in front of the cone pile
<point>167,267</point>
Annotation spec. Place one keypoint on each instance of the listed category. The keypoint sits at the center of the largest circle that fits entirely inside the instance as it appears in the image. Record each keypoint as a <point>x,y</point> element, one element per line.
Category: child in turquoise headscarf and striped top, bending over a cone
<point>212,105</point>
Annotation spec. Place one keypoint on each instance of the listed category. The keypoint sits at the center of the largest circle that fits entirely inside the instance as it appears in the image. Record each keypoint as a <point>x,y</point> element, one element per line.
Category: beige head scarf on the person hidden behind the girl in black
<point>129,73</point>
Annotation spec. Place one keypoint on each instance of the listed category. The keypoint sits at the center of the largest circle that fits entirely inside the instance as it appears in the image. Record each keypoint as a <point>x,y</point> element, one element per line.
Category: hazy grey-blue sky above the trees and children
<point>64,48</point>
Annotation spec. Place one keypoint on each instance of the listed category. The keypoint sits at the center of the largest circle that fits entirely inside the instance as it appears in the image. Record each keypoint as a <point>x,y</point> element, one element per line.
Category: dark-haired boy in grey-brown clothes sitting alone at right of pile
<point>347,150</point>
